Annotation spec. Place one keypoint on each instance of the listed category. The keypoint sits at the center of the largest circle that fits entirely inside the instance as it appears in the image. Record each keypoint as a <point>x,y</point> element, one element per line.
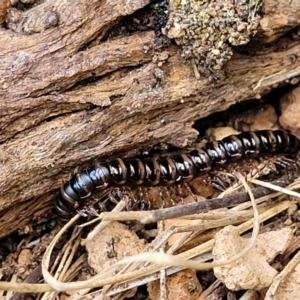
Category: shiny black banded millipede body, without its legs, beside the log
<point>171,168</point>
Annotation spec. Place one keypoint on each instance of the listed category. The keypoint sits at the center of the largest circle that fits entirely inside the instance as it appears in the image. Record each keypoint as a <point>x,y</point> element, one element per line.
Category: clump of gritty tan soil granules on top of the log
<point>207,30</point>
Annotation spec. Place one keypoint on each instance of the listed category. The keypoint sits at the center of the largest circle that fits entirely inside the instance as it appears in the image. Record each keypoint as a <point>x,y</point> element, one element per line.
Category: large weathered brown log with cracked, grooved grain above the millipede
<point>69,94</point>
